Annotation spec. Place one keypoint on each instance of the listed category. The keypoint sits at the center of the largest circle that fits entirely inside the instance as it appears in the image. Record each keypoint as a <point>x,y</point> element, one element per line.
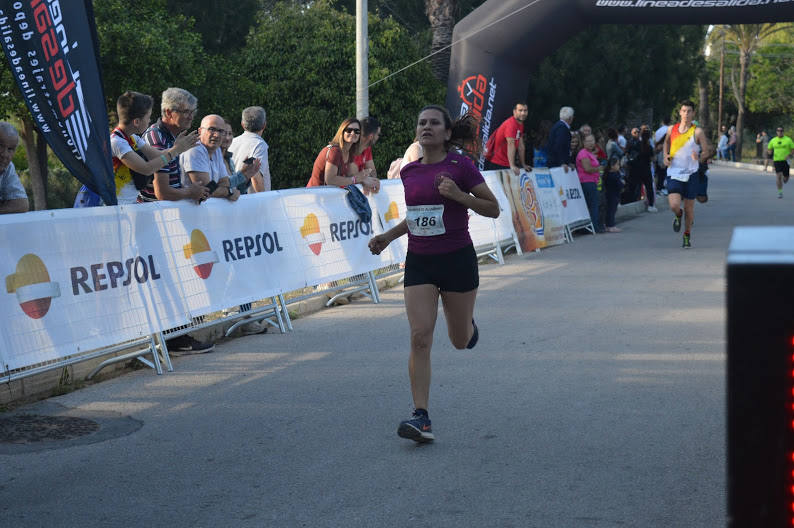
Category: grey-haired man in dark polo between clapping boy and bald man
<point>177,107</point>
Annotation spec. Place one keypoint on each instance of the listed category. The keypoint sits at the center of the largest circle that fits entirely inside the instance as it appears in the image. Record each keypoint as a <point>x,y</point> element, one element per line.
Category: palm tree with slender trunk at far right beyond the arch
<point>747,38</point>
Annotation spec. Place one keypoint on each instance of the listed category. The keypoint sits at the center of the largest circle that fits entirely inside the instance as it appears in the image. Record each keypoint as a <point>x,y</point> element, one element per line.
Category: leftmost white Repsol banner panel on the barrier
<point>66,292</point>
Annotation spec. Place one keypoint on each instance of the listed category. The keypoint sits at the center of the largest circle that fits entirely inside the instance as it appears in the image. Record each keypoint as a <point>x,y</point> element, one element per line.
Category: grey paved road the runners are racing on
<point>594,399</point>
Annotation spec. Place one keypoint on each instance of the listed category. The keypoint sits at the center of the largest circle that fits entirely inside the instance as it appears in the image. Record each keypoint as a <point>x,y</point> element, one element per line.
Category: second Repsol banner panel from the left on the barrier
<point>226,253</point>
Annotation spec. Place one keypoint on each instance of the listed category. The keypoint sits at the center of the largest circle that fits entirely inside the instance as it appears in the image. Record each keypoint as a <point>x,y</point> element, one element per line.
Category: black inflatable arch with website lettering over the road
<point>499,42</point>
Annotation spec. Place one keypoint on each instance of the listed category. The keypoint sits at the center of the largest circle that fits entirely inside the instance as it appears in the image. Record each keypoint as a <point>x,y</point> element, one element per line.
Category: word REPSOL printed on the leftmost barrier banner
<point>105,275</point>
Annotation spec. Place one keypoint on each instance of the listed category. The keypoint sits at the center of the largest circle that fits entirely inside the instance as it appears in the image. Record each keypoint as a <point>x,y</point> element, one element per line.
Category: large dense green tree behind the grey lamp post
<point>304,61</point>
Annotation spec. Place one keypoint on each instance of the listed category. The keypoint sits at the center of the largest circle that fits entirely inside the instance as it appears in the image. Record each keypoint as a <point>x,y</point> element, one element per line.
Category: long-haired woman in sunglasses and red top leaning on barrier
<point>331,165</point>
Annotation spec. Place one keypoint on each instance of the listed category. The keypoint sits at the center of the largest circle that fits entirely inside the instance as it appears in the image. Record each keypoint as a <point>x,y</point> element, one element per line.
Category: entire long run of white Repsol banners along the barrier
<point>80,279</point>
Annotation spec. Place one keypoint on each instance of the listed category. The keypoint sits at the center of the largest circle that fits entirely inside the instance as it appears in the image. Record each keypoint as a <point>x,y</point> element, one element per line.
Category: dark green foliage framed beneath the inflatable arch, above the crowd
<point>605,73</point>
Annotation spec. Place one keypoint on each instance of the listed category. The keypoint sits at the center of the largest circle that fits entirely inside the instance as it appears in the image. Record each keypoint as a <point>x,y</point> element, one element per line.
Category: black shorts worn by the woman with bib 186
<point>455,271</point>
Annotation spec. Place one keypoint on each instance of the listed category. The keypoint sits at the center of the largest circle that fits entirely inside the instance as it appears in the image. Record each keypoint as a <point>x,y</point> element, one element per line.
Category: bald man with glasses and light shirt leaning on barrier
<point>204,165</point>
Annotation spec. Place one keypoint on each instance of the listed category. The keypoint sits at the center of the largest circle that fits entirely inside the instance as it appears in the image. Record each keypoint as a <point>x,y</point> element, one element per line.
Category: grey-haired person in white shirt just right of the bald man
<point>250,144</point>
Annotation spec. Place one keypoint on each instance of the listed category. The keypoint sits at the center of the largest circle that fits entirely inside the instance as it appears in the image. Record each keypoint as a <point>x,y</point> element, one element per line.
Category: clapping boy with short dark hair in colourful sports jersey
<point>130,152</point>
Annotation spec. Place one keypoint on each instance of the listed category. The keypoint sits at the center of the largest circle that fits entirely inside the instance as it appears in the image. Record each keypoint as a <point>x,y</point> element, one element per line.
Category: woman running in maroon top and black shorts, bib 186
<point>440,188</point>
